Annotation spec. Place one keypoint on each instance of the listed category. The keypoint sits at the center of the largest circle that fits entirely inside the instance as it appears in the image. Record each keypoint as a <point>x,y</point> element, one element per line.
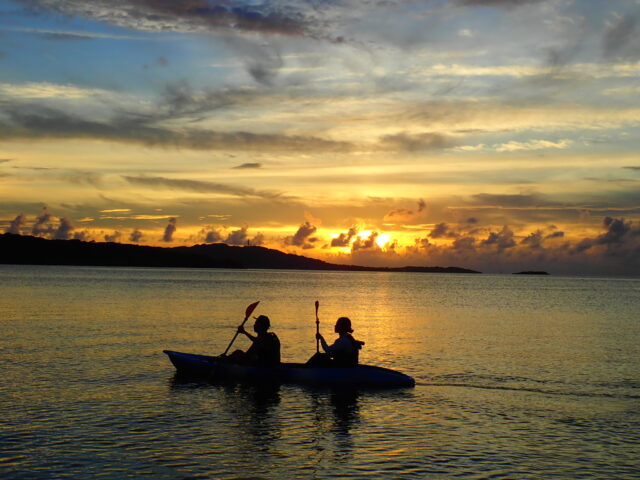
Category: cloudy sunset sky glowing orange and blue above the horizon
<point>499,135</point>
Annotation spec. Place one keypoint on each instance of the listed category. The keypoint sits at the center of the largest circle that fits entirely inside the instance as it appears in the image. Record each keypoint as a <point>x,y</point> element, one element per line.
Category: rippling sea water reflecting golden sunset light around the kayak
<point>518,377</point>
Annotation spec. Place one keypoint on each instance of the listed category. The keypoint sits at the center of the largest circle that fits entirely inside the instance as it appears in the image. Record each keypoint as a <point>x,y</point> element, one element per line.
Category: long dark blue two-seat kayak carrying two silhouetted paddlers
<point>220,368</point>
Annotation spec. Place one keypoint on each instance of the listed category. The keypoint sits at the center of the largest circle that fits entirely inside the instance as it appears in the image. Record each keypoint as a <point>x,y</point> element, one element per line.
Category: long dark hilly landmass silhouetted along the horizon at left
<point>28,250</point>
